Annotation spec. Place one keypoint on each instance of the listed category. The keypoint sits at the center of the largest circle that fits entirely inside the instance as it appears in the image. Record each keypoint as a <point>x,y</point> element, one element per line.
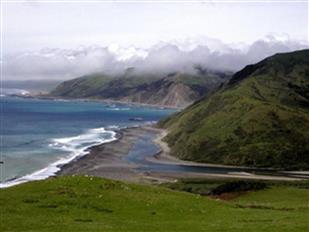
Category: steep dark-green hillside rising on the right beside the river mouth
<point>260,118</point>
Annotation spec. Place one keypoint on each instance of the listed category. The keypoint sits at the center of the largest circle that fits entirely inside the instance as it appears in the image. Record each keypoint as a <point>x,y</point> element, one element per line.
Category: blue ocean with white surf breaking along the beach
<point>38,136</point>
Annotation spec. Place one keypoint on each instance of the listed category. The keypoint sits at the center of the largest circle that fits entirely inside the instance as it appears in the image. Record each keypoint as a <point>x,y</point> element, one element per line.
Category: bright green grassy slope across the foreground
<point>95,204</point>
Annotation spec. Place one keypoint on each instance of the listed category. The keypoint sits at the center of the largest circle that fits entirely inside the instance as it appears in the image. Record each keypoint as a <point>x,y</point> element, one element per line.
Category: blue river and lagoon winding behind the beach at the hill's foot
<point>144,150</point>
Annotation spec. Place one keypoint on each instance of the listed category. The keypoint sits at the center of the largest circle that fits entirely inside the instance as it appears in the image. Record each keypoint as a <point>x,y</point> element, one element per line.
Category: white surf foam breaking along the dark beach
<point>77,146</point>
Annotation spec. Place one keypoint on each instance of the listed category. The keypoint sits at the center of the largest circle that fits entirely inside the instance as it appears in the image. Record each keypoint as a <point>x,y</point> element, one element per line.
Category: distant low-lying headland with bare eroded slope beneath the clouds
<point>175,89</point>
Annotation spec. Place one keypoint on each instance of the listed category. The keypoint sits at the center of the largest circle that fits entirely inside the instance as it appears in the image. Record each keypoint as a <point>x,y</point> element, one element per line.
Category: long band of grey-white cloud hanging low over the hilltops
<point>160,59</point>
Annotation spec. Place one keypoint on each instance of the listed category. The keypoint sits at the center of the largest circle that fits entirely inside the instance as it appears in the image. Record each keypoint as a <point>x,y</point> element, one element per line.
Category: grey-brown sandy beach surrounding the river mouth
<point>107,160</point>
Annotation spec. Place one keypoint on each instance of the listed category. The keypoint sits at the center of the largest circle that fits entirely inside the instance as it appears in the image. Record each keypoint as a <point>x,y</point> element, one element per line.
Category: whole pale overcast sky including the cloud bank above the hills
<point>45,40</point>
